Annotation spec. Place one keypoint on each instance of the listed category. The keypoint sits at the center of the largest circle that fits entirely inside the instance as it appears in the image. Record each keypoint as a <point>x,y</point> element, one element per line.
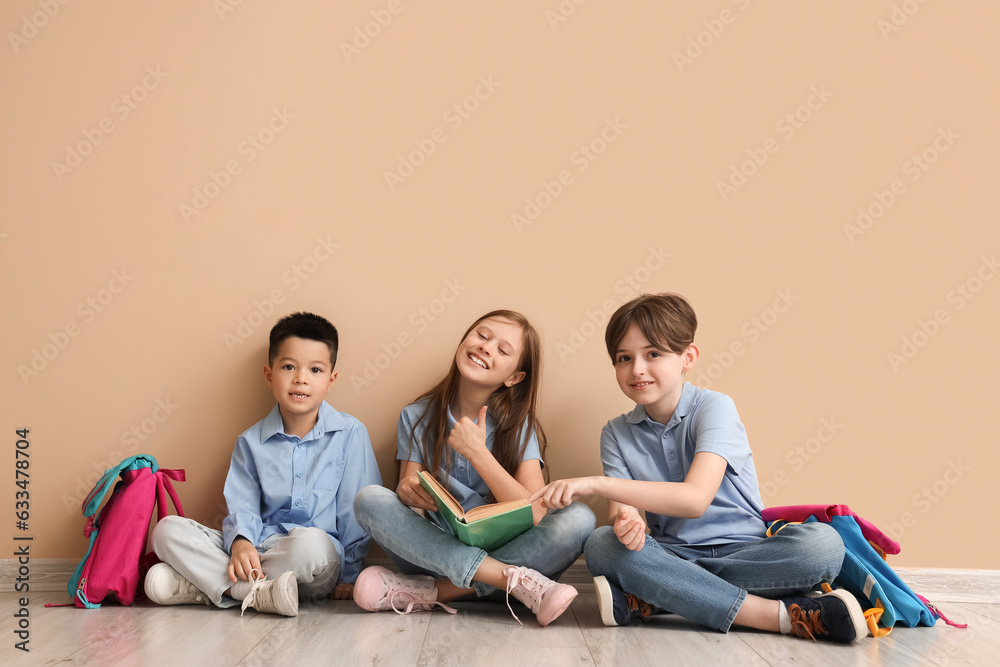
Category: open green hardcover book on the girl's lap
<point>487,526</point>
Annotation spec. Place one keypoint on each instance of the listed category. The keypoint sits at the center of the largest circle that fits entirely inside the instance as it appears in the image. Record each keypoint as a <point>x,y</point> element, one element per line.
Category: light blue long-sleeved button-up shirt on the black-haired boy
<point>277,482</point>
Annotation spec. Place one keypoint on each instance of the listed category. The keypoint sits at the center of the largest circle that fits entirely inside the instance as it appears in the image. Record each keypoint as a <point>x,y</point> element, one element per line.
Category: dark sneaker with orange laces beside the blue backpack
<point>835,616</point>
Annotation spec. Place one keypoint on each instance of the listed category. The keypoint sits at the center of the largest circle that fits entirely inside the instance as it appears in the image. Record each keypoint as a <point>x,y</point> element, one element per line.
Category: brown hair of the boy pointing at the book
<point>667,320</point>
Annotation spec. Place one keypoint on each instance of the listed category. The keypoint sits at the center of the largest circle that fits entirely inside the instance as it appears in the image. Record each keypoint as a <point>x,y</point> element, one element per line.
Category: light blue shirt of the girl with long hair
<point>463,482</point>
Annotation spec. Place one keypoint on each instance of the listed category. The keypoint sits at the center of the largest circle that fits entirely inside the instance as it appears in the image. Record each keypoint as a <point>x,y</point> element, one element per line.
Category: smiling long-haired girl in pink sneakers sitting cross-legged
<point>476,431</point>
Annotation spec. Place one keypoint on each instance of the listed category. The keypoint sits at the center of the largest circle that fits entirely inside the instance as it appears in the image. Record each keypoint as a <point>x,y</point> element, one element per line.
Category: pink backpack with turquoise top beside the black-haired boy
<point>117,549</point>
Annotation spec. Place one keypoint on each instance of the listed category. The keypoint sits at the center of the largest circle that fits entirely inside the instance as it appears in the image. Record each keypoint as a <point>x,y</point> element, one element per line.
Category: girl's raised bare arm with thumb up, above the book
<point>469,440</point>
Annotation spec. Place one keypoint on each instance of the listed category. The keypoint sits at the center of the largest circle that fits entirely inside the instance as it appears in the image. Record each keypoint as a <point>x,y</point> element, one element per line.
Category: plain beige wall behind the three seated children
<point>176,175</point>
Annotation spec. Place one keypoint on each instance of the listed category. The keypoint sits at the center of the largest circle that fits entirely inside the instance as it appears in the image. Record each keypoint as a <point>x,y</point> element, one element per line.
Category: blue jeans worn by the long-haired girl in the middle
<point>418,546</point>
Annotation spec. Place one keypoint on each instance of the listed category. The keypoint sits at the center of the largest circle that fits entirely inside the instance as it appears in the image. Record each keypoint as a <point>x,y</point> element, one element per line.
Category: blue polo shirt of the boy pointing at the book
<point>633,446</point>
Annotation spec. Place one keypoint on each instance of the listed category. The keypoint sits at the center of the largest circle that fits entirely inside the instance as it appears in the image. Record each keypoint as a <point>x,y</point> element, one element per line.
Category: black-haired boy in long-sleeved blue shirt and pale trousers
<point>290,490</point>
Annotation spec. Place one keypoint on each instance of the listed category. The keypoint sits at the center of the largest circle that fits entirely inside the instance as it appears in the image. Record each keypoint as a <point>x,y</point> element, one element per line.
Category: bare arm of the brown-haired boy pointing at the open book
<point>688,499</point>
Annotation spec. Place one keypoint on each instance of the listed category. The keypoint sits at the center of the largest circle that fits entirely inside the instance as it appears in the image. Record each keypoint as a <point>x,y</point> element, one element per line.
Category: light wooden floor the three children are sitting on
<point>483,633</point>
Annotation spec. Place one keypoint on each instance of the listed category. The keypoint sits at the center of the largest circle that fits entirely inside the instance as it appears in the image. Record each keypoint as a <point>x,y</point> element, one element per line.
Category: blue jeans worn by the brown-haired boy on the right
<point>708,584</point>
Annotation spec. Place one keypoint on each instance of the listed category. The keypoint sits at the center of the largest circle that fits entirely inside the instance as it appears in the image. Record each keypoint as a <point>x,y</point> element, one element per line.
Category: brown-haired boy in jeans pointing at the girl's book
<point>680,462</point>
